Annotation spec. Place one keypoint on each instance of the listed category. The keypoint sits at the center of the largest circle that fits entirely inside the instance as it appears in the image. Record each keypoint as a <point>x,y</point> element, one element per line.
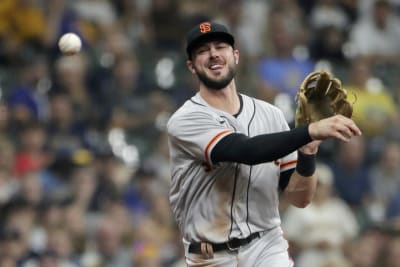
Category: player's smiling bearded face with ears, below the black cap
<point>214,63</point>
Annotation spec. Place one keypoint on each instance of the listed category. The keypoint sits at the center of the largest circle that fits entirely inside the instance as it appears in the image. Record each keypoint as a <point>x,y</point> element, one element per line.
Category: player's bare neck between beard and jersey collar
<point>225,99</point>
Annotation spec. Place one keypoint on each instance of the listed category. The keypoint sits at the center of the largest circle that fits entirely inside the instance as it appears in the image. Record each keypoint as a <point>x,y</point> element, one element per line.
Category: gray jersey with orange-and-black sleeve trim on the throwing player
<point>217,202</point>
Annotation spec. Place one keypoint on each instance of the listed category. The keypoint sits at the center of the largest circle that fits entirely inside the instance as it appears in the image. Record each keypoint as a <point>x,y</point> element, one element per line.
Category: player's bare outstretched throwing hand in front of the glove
<point>338,127</point>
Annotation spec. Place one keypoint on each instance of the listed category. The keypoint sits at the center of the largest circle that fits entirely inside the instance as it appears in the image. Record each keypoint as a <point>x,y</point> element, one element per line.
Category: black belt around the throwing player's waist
<point>232,245</point>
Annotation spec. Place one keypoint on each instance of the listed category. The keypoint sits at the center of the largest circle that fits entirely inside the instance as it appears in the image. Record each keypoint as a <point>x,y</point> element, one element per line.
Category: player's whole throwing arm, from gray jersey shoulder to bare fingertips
<point>201,135</point>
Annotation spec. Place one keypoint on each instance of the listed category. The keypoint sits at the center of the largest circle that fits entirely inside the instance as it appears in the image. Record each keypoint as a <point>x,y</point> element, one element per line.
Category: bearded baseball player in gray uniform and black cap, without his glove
<point>231,155</point>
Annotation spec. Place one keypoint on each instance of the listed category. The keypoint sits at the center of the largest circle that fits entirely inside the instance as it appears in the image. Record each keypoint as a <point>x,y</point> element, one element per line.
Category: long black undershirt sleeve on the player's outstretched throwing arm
<point>261,148</point>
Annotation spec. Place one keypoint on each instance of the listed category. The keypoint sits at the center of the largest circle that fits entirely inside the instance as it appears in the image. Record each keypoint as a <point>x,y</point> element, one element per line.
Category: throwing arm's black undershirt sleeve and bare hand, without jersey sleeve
<point>237,147</point>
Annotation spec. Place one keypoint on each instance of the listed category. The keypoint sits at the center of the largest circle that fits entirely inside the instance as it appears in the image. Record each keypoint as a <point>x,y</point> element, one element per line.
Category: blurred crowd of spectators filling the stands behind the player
<point>84,168</point>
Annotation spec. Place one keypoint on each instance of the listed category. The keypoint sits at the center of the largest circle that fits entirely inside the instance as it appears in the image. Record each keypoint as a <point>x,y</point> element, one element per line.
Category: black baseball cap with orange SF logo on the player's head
<point>207,31</point>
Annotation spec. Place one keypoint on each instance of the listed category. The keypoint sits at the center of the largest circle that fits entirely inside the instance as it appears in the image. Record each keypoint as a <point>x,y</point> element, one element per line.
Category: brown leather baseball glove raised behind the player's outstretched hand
<point>321,96</point>
